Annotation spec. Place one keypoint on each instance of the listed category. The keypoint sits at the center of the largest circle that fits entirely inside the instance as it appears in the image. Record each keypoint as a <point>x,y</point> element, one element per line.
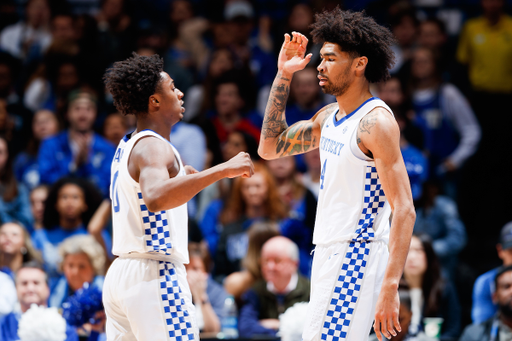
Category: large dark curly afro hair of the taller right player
<point>359,35</point>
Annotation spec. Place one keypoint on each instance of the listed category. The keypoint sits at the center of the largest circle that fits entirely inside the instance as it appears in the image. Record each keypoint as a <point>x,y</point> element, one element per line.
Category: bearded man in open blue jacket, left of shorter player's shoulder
<point>78,151</point>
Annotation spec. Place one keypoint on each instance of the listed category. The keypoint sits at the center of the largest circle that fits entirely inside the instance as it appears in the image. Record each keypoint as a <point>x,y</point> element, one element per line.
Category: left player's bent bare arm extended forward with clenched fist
<point>153,161</point>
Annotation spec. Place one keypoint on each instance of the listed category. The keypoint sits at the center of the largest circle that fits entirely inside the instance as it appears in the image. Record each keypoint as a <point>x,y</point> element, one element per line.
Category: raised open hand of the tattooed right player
<point>291,58</point>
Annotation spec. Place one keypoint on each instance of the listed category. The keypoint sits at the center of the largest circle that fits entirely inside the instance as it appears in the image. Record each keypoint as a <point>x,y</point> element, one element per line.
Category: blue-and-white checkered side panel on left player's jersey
<point>156,229</point>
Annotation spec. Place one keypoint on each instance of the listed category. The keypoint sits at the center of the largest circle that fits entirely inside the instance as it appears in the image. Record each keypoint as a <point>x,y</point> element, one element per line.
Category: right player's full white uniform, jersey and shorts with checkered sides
<point>351,234</point>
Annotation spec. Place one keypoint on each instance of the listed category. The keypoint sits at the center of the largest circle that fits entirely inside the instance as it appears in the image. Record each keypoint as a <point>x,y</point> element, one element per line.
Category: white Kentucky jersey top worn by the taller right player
<point>351,205</point>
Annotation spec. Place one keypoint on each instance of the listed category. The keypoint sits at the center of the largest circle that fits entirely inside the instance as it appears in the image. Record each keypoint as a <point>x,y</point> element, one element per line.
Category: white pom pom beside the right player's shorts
<point>292,321</point>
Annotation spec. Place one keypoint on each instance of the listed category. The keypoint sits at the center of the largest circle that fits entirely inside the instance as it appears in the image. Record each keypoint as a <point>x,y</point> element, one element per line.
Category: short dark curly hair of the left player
<point>132,81</point>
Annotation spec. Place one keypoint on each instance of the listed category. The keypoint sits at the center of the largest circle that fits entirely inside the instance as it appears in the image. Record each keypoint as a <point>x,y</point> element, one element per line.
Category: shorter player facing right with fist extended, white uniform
<point>146,295</point>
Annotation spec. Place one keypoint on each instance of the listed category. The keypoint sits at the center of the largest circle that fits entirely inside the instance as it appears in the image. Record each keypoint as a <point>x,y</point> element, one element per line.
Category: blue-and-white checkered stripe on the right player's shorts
<point>345,293</point>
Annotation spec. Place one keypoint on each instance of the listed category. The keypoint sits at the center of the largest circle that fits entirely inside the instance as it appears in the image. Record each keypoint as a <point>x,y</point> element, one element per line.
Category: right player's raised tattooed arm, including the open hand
<point>277,139</point>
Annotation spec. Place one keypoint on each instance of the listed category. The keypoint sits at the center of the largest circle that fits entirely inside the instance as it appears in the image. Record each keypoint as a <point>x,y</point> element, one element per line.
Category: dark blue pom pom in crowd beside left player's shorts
<point>81,307</point>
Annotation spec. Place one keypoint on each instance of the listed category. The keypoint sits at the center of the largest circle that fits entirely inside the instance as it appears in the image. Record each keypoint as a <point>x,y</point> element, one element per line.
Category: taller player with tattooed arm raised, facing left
<point>354,277</point>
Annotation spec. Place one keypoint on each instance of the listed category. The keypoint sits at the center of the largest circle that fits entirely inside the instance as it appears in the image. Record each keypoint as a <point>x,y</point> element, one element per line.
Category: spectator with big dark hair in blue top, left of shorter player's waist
<point>69,207</point>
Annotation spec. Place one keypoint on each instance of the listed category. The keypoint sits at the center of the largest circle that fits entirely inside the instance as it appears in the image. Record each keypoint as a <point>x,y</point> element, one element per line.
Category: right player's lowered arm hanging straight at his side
<point>379,133</point>
